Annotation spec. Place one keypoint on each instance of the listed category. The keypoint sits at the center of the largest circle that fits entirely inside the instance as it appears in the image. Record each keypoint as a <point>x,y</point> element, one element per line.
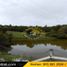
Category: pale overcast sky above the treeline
<point>33,12</point>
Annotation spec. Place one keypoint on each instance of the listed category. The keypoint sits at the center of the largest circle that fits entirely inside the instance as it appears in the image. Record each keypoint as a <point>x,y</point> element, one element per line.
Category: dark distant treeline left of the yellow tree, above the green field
<point>13,28</point>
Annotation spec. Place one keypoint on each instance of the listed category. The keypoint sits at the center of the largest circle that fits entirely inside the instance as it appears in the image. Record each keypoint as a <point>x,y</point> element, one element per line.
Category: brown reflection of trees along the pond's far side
<point>31,43</point>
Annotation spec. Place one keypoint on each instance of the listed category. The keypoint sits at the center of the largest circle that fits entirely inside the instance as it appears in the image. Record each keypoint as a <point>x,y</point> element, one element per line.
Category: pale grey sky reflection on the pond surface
<point>38,51</point>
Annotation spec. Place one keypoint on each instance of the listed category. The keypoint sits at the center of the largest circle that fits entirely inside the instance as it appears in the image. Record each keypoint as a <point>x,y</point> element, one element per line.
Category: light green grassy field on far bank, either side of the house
<point>23,35</point>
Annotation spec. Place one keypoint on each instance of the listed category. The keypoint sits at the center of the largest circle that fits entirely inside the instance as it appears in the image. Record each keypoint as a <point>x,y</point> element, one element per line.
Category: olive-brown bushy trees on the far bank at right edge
<point>59,31</point>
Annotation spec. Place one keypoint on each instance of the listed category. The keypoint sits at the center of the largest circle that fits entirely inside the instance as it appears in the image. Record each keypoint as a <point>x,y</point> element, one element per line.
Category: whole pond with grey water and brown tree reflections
<point>40,49</point>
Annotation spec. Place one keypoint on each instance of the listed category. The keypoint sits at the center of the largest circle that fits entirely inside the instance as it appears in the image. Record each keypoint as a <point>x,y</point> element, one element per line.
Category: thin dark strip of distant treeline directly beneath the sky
<point>23,28</point>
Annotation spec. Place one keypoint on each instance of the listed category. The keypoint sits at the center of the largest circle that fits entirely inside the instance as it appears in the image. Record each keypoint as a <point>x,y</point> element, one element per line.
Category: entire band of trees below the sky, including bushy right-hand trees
<point>58,31</point>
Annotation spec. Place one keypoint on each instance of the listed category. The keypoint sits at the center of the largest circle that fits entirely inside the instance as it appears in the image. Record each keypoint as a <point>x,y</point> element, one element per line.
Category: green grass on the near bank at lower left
<point>9,57</point>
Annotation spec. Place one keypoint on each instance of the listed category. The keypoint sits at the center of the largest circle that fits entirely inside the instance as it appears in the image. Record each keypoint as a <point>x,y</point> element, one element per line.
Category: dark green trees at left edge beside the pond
<point>5,40</point>
